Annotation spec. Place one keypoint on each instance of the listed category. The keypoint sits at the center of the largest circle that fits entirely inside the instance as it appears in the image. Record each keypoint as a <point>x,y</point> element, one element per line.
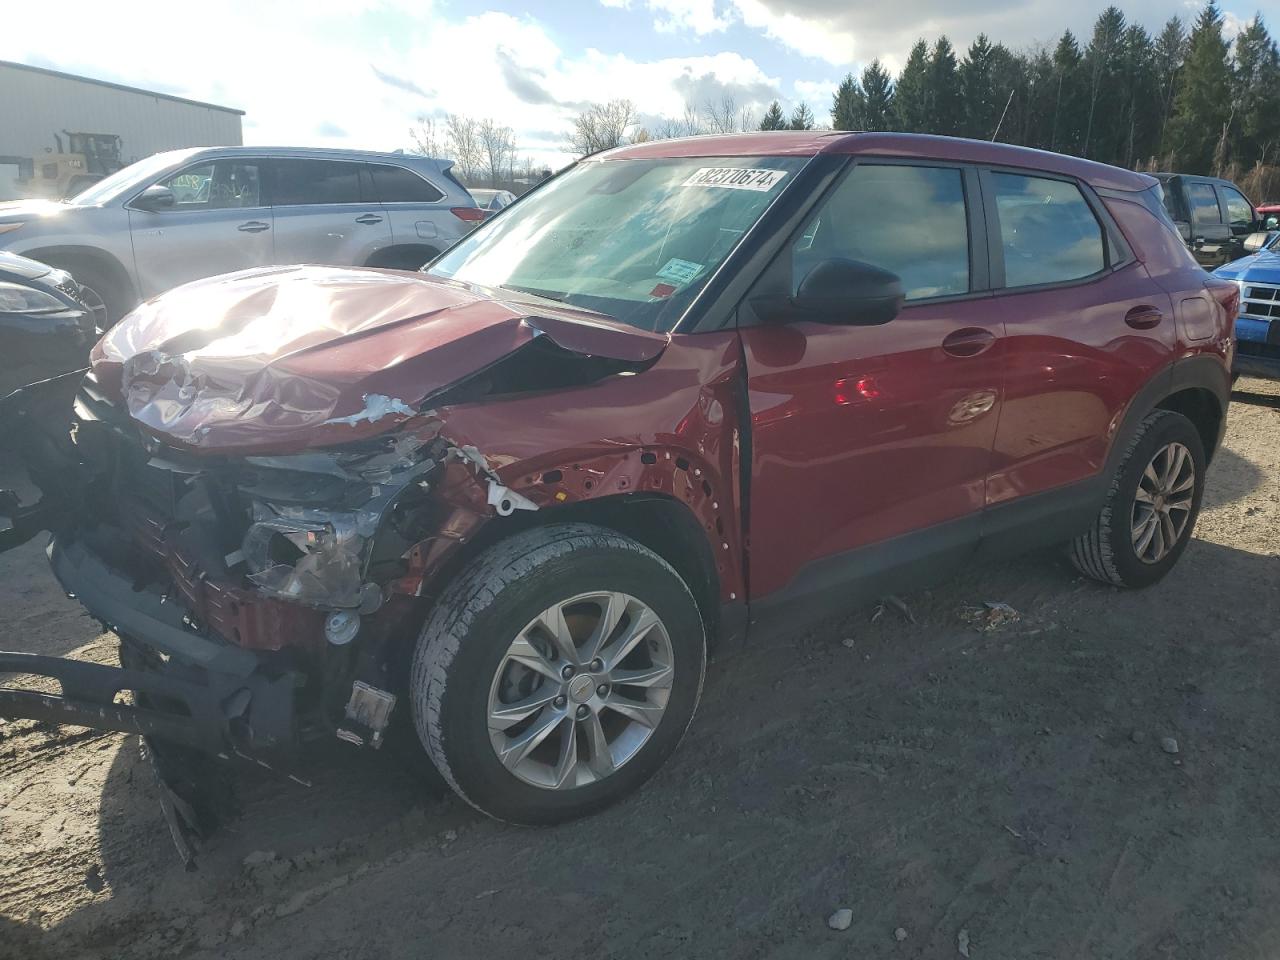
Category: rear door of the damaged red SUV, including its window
<point>1086,328</point>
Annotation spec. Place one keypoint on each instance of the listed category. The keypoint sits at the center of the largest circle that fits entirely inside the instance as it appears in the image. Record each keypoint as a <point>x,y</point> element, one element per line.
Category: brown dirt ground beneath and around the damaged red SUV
<point>1005,780</point>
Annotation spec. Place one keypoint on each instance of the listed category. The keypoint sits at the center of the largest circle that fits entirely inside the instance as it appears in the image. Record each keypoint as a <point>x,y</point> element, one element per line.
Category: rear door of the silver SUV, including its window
<point>326,213</point>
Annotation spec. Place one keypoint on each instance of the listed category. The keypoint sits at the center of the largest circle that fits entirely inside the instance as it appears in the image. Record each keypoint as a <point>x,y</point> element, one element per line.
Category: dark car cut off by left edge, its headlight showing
<point>48,323</point>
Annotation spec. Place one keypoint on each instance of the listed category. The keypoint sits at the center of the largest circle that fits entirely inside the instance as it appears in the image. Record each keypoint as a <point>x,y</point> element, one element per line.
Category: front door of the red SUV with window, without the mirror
<point>876,436</point>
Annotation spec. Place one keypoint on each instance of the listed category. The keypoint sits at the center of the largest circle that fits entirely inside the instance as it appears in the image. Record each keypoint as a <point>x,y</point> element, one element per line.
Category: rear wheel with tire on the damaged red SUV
<point>1110,550</point>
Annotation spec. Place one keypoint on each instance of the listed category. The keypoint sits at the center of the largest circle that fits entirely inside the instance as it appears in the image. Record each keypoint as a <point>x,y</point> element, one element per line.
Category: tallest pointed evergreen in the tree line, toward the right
<point>1203,107</point>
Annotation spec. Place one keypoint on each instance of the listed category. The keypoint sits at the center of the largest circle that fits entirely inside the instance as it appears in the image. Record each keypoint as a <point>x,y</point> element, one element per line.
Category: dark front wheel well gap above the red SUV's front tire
<point>661,524</point>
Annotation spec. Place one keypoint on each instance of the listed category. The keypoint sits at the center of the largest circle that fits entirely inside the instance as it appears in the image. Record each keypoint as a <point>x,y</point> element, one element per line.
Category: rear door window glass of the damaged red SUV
<point>1048,231</point>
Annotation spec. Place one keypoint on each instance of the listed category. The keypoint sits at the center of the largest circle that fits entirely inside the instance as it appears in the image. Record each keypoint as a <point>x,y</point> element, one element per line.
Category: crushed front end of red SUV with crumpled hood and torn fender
<point>269,476</point>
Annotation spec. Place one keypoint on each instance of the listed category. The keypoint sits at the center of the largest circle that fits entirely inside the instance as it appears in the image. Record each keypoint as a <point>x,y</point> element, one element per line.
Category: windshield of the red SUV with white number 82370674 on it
<point>630,239</point>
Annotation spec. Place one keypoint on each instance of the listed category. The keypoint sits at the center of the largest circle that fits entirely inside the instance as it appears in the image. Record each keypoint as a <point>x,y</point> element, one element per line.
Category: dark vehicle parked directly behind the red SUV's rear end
<point>1213,216</point>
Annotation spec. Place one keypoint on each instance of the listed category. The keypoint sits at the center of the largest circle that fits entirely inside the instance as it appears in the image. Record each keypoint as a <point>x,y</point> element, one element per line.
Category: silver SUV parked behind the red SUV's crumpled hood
<point>189,214</point>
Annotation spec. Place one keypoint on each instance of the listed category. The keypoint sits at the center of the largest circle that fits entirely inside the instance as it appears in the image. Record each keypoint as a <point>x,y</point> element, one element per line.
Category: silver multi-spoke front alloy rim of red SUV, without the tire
<point>580,691</point>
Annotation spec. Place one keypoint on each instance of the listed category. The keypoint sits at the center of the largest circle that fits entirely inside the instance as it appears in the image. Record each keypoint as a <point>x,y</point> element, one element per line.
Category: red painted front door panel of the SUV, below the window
<point>904,444</point>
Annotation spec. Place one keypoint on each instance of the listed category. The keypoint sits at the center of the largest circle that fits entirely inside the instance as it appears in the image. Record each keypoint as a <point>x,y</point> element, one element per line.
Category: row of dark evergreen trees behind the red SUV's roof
<point>1192,103</point>
